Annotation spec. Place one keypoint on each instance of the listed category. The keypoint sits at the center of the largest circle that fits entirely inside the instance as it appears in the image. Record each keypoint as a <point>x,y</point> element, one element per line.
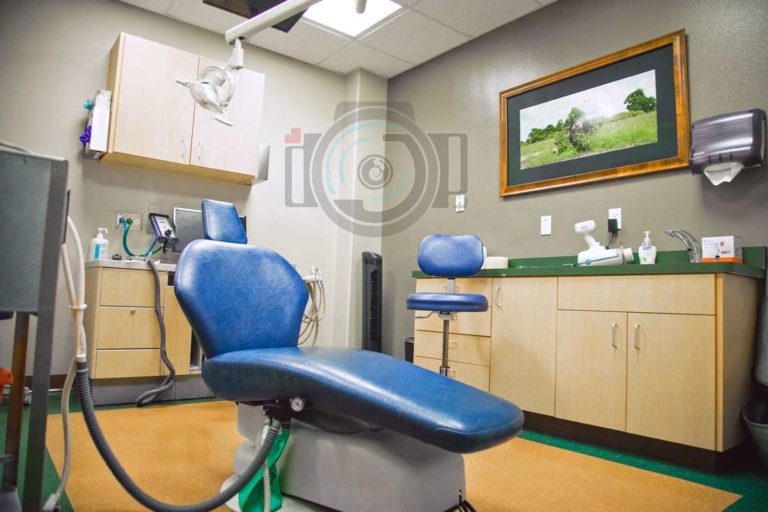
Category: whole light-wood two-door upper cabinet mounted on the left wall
<point>156,123</point>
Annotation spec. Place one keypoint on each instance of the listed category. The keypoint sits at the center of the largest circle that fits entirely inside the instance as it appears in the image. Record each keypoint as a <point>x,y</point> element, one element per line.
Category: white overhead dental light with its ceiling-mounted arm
<point>215,85</point>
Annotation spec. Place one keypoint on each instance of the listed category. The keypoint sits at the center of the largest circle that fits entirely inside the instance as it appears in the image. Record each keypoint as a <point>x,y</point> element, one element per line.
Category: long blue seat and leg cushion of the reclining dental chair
<point>372,387</point>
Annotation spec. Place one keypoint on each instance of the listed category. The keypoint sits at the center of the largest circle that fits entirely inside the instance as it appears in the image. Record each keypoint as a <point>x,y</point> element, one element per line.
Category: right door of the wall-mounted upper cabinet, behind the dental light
<point>231,148</point>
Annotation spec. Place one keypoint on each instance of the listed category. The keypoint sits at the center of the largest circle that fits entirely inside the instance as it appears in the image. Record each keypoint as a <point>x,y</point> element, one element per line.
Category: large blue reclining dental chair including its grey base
<point>245,305</point>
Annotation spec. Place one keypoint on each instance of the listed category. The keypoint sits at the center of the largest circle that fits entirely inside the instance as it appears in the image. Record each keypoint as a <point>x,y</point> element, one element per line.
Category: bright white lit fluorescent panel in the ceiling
<point>341,15</point>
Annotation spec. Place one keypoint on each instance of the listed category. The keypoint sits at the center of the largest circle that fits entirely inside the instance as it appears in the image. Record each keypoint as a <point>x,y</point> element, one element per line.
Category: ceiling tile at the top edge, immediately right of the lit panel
<point>475,18</point>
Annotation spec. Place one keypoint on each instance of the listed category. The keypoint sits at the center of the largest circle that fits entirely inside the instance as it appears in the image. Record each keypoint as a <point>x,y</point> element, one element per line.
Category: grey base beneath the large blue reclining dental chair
<point>374,471</point>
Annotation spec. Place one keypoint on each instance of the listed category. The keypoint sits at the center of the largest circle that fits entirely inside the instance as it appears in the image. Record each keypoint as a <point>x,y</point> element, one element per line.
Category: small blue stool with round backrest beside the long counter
<point>449,257</point>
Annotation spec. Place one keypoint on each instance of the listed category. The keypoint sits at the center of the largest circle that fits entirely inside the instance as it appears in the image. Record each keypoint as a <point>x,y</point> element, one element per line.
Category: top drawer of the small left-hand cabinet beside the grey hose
<point>121,287</point>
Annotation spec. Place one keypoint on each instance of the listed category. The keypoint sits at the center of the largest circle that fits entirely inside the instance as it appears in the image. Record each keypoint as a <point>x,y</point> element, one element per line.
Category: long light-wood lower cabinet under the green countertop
<point>666,357</point>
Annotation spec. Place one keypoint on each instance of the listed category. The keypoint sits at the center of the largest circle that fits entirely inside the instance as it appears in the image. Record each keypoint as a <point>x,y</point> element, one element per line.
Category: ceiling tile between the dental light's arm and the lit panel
<point>306,42</point>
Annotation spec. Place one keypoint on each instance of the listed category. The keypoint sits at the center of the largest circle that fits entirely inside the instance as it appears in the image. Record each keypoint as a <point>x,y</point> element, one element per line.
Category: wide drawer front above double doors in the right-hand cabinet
<point>676,293</point>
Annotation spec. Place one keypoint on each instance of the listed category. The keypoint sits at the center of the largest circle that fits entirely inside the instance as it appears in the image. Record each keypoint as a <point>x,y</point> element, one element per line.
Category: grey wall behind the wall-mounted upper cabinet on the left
<point>53,55</point>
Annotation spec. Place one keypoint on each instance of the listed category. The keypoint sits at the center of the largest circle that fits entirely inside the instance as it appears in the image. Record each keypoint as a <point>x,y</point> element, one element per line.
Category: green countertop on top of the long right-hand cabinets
<point>667,262</point>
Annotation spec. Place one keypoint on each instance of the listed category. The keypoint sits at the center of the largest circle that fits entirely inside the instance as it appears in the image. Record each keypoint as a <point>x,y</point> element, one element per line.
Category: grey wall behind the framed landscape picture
<point>727,70</point>
